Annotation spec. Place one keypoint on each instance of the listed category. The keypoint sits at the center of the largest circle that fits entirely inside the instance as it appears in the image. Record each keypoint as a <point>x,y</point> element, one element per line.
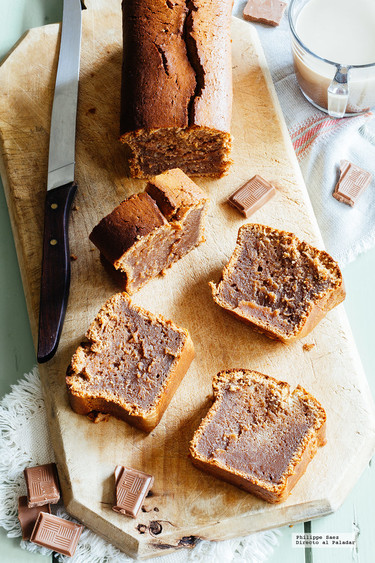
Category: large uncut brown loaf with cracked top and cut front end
<point>176,94</point>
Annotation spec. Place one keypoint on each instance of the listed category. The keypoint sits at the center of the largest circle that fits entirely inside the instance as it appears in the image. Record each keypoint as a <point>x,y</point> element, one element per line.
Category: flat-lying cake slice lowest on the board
<point>258,435</point>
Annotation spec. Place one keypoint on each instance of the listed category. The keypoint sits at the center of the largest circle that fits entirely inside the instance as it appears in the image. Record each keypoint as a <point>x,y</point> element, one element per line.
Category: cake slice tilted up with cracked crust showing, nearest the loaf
<point>151,230</point>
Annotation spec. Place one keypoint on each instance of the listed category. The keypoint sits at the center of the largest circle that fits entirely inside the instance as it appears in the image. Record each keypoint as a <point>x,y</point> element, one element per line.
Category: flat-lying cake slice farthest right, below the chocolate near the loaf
<point>278,284</point>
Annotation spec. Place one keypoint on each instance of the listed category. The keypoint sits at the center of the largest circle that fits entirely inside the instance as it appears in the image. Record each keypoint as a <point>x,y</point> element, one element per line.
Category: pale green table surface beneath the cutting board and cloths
<point>18,356</point>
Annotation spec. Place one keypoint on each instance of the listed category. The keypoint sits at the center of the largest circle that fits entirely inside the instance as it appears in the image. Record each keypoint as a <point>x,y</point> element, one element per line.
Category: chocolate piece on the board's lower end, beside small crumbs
<point>132,487</point>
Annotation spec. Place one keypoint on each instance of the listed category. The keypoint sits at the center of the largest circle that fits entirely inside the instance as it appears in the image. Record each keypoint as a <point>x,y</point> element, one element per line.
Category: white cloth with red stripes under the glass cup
<point>320,143</point>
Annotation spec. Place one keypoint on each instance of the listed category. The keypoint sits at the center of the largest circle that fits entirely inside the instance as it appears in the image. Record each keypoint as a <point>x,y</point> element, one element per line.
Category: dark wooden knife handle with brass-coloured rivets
<point>55,281</point>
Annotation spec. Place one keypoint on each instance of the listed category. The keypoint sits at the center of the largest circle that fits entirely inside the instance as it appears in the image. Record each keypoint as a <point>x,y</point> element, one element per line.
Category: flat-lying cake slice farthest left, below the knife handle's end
<point>131,365</point>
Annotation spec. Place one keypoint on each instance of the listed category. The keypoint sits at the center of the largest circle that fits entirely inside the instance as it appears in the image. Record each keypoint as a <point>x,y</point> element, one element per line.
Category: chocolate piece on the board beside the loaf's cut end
<point>252,196</point>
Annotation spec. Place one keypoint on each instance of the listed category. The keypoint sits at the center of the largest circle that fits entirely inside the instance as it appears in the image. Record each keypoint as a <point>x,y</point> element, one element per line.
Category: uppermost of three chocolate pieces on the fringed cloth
<point>42,484</point>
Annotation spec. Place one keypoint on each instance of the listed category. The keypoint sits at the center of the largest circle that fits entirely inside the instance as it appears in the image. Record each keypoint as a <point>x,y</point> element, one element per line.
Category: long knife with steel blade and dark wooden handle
<point>61,187</point>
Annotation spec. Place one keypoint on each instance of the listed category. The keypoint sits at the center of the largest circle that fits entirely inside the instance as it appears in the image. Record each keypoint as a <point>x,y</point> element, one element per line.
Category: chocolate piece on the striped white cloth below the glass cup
<point>352,183</point>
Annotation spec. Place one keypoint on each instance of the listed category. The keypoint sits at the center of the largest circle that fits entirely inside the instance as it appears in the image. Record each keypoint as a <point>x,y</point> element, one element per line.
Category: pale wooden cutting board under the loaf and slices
<point>185,504</point>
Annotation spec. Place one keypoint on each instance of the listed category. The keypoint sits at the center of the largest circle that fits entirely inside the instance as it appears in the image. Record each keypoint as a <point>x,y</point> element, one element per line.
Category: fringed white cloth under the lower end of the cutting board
<point>25,442</point>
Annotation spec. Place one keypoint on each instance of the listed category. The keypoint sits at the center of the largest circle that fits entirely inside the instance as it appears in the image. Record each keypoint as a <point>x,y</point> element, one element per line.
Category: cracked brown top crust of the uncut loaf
<point>177,68</point>
